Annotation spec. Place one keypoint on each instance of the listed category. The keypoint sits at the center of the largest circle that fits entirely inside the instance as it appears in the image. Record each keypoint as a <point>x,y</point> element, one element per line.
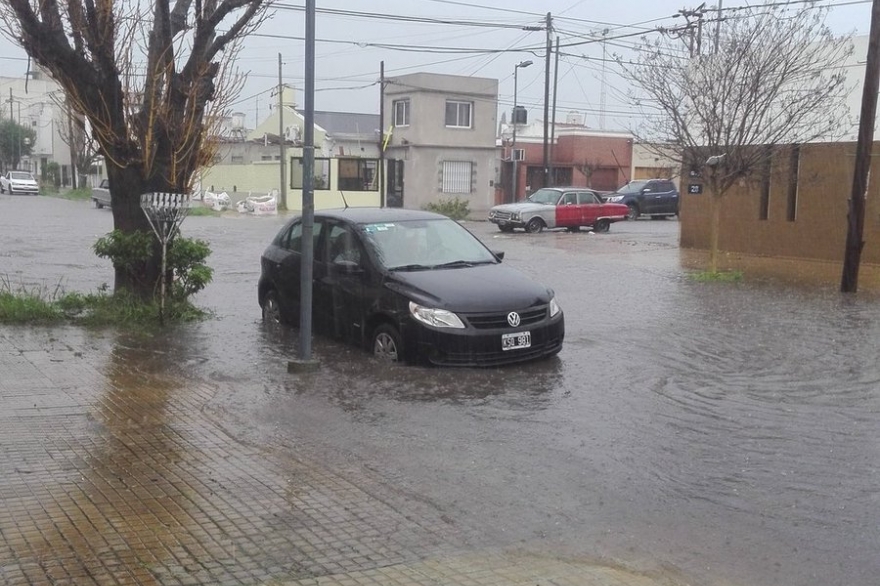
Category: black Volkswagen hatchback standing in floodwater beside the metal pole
<point>412,286</point>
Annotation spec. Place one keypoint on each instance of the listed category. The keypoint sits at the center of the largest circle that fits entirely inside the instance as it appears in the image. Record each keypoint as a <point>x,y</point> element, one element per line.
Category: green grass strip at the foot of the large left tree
<point>40,305</point>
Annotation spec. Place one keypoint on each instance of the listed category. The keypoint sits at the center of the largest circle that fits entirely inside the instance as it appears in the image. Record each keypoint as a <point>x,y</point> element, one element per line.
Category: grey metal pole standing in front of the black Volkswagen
<point>308,201</point>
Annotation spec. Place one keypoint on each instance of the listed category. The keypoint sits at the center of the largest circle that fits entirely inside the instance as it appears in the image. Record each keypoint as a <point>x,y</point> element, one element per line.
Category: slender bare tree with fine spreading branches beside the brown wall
<point>775,81</point>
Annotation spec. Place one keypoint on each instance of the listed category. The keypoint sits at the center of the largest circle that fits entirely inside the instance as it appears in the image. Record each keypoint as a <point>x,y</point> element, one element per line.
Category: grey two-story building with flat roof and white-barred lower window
<point>442,139</point>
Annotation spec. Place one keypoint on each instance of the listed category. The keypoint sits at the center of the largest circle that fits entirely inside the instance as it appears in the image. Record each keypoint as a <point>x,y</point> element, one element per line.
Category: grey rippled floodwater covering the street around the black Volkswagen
<point>726,430</point>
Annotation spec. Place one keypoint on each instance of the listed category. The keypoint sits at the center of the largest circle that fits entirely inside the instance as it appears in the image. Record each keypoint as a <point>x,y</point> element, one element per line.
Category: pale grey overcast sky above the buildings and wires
<point>351,47</point>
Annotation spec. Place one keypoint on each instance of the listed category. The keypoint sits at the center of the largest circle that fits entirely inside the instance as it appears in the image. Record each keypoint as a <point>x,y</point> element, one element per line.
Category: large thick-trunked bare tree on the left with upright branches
<point>152,80</point>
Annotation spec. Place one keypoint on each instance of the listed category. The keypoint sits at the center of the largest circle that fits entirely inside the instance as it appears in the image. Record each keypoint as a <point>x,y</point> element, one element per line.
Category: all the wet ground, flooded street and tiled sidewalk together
<point>688,433</point>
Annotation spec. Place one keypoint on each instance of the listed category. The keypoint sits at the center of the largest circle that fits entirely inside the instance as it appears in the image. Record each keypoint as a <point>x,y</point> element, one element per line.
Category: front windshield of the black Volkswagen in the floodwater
<point>425,244</point>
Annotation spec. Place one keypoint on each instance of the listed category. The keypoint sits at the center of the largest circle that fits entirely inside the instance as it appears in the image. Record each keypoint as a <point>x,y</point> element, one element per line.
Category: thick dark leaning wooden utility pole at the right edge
<point>849,280</point>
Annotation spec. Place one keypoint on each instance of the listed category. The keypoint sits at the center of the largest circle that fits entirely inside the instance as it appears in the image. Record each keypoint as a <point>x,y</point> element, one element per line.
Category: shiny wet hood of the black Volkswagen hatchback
<point>478,289</point>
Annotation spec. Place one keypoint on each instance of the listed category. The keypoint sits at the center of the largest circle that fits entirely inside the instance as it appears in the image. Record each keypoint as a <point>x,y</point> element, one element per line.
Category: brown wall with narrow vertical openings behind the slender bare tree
<point>818,229</point>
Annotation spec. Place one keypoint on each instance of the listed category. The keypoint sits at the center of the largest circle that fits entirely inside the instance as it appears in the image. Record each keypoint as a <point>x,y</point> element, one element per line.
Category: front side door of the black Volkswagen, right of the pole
<point>342,282</point>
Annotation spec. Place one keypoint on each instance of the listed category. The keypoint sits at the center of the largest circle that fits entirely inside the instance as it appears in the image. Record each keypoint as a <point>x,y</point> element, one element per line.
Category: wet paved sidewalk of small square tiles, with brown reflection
<point>113,470</point>
